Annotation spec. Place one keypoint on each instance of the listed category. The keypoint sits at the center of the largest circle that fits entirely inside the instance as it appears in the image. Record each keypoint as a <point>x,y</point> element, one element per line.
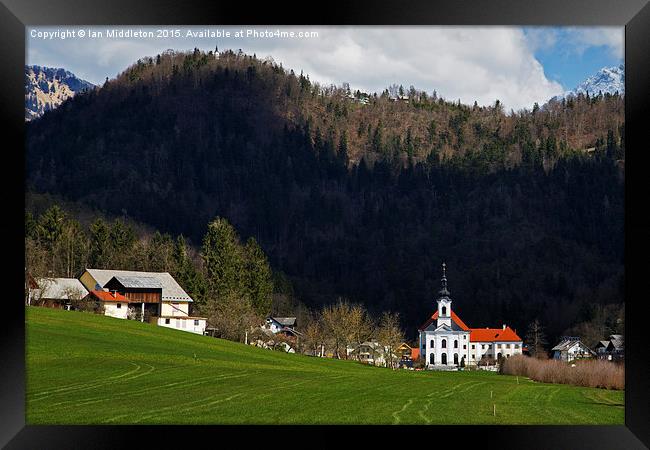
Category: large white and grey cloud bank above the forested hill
<point>466,63</point>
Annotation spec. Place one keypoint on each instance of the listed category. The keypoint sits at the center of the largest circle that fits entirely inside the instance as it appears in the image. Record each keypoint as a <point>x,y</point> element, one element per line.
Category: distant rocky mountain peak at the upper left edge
<point>46,88</point>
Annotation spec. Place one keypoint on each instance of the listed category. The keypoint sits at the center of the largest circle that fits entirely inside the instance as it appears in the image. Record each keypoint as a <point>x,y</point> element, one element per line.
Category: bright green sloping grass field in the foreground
<point>89,369</point>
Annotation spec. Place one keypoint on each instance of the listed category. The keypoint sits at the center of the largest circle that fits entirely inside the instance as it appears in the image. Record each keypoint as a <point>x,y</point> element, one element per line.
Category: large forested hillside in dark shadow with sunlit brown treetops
<point>358,195</point>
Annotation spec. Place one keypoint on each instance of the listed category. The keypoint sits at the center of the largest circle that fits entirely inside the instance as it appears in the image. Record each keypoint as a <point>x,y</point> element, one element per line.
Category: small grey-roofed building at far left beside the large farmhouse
<point>55,292</point>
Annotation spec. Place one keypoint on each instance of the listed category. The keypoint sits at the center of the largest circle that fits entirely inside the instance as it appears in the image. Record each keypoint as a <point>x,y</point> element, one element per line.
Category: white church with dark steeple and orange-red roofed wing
<point>446,342</point>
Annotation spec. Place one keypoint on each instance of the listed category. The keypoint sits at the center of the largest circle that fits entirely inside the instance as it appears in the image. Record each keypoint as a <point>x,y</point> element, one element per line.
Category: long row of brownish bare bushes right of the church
<point>588,373</point>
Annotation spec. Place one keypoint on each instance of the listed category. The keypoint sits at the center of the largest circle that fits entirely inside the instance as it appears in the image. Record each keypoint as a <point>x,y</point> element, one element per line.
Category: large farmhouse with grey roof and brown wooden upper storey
<point>154,297</point>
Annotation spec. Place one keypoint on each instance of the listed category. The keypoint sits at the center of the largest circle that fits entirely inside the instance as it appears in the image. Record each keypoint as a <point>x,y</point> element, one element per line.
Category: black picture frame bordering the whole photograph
<point>15,15</point>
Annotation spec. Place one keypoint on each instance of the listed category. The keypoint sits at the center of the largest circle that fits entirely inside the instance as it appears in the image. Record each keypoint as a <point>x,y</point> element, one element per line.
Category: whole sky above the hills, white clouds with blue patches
<point>518,66</point>
